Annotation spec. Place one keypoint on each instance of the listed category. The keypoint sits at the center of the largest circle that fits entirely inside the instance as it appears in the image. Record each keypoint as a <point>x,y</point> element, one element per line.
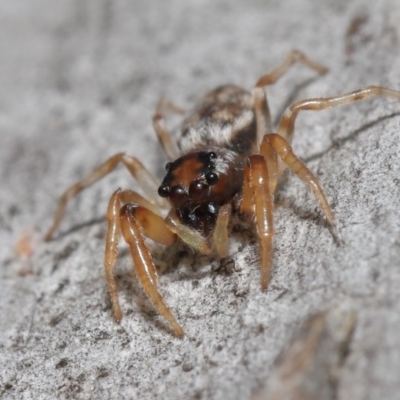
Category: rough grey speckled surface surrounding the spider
<point>79,81</point>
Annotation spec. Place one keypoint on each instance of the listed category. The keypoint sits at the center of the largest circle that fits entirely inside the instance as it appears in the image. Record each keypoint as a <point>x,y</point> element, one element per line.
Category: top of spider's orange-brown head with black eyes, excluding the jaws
<point>202,177</point>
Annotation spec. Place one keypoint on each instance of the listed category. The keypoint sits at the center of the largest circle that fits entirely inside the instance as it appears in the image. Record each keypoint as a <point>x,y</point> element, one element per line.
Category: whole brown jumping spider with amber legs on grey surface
<point>226,163</point>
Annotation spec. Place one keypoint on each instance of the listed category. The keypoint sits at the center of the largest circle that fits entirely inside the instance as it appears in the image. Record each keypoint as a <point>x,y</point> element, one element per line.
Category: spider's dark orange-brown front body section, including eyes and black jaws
<point>198,183</point>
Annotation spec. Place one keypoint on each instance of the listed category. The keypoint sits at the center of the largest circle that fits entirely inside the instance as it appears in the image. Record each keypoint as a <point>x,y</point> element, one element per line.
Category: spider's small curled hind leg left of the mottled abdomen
<point>164,136</point>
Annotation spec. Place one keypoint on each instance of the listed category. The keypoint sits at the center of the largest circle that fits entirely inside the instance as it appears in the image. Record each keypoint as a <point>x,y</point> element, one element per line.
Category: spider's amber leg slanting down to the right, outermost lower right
<point>284,150</point>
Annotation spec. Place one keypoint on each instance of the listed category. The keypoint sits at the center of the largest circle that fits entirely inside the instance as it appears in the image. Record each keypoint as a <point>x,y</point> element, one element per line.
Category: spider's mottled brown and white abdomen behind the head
<point>224,118</point>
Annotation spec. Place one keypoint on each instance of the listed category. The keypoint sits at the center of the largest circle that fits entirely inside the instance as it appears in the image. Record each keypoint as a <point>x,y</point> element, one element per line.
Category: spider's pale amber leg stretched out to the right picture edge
<point>286,126</point>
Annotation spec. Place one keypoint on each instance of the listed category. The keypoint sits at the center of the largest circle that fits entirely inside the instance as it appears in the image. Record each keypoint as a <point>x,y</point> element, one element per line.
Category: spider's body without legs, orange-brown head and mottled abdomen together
<point>216,138</point>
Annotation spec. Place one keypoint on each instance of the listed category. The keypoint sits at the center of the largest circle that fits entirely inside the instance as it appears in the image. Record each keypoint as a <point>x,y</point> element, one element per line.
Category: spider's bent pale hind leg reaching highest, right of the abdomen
<point>263,116</point>
